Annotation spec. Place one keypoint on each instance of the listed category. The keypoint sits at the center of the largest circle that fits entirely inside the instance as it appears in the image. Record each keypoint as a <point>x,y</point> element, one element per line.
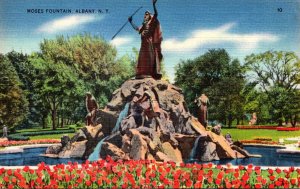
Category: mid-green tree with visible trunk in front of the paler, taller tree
<point>57,84</point>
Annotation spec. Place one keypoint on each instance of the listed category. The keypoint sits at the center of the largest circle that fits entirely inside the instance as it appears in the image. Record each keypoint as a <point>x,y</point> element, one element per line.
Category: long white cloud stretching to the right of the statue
<point>201,37</point>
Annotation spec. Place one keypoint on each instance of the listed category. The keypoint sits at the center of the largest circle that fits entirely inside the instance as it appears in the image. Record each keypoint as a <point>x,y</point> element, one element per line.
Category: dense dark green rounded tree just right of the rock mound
<point>219,77</point>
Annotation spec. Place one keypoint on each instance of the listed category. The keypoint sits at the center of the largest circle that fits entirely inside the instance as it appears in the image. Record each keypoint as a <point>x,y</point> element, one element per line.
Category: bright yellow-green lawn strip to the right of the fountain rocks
<point>251,134</point>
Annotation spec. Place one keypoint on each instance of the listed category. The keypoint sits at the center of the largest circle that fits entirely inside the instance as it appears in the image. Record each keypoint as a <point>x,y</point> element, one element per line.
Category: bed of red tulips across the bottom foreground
<point>147,174</point>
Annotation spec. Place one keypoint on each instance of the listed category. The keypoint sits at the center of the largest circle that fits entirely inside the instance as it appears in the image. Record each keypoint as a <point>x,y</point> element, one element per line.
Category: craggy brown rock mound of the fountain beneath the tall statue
<point>147,119</point>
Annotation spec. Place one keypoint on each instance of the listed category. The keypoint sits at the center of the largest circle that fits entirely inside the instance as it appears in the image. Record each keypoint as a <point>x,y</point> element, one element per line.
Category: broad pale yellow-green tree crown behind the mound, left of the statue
<point>93,59</point>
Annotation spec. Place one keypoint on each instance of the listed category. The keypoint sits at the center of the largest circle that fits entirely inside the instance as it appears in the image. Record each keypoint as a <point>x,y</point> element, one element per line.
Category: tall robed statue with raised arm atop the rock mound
<point>150,55</point>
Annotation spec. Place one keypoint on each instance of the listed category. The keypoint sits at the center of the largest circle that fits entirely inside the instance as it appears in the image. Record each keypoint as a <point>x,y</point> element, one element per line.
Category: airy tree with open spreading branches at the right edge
<point>277,74</point>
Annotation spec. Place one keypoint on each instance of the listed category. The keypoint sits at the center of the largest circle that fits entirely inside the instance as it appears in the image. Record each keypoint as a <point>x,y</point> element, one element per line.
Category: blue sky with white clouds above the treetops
<point>190,28</point>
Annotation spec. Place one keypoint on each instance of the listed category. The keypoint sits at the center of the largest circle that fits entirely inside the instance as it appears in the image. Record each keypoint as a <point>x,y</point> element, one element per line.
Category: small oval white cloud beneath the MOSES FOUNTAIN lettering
<point>66,23</point>
